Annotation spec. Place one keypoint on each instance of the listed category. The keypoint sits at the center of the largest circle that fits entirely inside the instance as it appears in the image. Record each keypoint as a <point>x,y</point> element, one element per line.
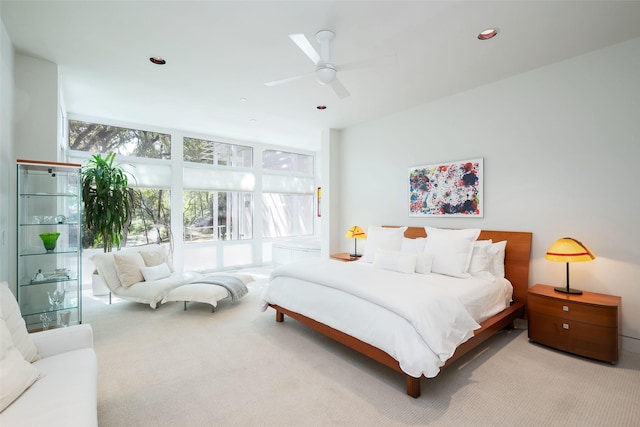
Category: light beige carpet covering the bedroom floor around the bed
<point>238,367</point>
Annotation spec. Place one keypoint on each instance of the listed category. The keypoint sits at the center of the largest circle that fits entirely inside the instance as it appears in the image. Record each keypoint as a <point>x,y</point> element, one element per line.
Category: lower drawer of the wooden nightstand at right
<point>597,342</point>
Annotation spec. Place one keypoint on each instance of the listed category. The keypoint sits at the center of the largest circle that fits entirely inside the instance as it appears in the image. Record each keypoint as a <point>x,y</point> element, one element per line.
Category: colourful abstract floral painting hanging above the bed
<point>447,189</point>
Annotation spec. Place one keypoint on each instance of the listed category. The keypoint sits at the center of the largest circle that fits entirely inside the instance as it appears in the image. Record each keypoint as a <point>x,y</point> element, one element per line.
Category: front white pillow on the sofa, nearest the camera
<point>16,374</point>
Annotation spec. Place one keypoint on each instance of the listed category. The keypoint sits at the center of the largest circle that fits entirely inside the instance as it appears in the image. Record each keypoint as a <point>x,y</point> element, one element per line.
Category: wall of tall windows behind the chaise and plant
<point>231,209</point>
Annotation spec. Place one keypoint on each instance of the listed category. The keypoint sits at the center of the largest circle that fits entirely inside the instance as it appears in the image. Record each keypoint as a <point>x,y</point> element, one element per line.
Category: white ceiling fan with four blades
<point>326,70</point>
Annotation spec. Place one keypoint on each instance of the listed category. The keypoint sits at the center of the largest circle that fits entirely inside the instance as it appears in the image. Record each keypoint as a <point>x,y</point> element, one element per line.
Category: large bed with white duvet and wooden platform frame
<point>329,296</point>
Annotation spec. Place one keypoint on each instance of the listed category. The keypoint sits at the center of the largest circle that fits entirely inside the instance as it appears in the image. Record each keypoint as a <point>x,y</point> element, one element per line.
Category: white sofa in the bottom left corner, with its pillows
<point>48,378</point>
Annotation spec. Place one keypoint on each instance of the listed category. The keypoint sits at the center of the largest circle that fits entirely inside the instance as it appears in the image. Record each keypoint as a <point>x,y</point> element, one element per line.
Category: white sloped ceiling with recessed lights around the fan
<point>219,52</point>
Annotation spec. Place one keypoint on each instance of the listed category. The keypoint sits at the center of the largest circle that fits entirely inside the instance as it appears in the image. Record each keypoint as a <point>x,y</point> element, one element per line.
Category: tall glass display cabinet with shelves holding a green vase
<point>49,278</point>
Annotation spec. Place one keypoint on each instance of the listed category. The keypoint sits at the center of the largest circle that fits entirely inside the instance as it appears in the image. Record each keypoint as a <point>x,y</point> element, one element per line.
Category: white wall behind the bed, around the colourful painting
<point>560,147</point>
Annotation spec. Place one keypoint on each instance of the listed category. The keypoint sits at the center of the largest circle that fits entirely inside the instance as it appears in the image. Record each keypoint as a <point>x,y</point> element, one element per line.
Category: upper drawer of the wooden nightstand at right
<point>570,310</point>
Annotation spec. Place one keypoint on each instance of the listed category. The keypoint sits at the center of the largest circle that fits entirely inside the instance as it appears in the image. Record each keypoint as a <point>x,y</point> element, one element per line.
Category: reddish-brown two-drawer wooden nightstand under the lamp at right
<point>586,325</point>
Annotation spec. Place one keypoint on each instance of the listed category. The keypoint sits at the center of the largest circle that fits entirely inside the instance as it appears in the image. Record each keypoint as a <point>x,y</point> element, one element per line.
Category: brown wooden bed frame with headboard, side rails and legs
<point>516,263</point>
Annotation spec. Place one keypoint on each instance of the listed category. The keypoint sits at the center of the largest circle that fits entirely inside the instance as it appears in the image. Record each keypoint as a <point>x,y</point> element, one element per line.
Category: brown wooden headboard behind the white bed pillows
<point>516,260</point>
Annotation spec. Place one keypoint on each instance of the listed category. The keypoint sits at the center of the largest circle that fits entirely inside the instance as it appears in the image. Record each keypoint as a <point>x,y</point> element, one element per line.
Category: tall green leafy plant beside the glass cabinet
<point>108,206</point>
